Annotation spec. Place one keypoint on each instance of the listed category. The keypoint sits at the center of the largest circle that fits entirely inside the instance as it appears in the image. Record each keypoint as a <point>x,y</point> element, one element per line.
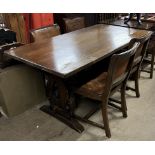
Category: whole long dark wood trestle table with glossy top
<point>68,59</point>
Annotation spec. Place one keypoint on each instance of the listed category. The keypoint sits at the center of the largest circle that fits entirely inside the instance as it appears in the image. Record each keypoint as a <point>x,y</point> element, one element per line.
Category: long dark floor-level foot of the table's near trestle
<point>71,122</point>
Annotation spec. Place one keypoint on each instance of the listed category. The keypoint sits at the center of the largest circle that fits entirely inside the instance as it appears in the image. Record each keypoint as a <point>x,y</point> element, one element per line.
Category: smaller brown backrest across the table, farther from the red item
<point>72,24</point>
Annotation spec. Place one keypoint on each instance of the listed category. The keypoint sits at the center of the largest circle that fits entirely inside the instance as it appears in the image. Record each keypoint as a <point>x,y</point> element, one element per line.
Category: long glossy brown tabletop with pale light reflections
<point>66,54</point>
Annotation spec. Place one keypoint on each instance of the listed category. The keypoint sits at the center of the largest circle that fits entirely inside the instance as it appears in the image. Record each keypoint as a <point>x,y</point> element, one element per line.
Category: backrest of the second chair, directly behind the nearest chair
<point>140,53</point>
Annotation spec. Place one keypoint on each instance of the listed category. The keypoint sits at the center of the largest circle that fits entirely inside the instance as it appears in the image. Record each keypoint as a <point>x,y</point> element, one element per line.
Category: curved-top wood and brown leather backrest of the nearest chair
<point>120,68</point>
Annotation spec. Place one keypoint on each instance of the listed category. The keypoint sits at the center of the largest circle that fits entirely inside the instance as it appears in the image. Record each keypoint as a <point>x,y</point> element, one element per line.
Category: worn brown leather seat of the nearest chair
<point>94,88</point>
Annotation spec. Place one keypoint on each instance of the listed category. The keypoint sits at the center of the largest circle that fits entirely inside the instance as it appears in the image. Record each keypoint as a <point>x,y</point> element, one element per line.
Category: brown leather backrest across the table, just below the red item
<point>44,32</point>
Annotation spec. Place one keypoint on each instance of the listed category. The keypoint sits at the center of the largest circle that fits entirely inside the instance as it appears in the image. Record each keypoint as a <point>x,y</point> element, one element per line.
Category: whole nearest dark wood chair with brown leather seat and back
<point>107,83</point>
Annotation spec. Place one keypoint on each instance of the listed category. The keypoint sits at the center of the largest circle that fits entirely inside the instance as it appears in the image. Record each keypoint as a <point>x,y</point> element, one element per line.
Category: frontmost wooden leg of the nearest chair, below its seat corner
<point>105,120</point>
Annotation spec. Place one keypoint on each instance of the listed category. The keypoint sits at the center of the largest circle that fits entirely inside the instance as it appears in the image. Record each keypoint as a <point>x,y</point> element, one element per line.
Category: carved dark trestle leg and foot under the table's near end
<point>61,103</point>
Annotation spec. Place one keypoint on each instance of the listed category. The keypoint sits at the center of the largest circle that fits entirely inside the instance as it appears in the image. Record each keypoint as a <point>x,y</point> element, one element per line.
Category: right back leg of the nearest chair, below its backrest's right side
<point>123,101</point>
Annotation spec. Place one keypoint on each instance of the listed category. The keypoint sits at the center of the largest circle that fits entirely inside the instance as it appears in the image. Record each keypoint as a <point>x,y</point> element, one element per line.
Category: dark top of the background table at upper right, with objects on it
<point>146,25</point>
